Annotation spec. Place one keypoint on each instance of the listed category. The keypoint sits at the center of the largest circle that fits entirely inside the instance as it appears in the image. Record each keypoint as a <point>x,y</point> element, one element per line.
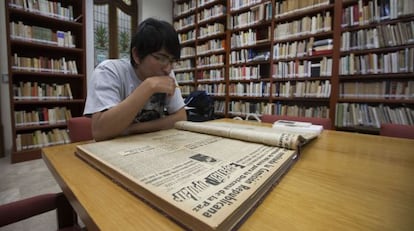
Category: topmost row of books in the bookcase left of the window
<point>45,7</point>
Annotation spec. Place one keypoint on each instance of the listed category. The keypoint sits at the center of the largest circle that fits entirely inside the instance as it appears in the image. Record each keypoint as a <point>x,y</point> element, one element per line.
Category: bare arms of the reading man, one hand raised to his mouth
<point>114,121</point>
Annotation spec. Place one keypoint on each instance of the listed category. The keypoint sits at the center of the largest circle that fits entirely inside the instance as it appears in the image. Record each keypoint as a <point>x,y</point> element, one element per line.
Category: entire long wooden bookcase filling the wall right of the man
<point>288,57</point>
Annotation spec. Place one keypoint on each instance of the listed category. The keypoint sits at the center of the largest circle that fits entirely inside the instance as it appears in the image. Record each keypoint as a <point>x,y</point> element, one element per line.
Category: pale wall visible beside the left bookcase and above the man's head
<point>159,9</point>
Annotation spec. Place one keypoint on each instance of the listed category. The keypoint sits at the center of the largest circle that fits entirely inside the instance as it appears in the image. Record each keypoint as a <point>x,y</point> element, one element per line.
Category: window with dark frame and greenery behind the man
<point>114,24</point>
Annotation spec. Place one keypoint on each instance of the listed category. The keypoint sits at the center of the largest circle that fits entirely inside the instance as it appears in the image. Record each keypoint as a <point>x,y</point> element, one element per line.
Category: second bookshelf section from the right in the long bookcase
<point>303,56</point>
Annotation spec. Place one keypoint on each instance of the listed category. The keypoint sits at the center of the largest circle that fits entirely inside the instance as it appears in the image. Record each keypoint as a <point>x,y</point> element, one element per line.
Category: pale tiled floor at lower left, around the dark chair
<point>22,180</point>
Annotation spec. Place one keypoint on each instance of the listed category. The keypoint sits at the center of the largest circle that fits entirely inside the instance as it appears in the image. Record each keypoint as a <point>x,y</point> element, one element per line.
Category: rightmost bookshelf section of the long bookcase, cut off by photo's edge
<point>376,65</point>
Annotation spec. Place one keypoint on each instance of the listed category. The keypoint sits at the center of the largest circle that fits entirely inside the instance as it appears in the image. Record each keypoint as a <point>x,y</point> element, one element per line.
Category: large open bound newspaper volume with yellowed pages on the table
<point>205,175</point>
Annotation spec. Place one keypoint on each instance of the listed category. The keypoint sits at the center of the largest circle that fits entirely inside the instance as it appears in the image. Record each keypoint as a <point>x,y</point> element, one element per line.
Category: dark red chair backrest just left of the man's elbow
<point>80,129</point>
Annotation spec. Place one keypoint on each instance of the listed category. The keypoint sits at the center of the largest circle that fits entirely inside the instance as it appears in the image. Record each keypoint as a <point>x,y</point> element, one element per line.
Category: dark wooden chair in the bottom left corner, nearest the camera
<point>31,207</point>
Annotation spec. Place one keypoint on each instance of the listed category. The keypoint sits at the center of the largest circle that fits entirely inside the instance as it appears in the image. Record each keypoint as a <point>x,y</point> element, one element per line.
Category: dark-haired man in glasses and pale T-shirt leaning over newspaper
<point>140,95</point>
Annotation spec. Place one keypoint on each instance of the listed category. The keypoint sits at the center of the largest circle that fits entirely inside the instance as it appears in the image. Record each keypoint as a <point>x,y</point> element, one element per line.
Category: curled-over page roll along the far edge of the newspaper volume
<point>247,132</point>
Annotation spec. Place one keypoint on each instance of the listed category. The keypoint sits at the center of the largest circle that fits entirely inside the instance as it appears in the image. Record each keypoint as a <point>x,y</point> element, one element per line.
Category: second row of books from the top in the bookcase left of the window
<point>37,34</point>
